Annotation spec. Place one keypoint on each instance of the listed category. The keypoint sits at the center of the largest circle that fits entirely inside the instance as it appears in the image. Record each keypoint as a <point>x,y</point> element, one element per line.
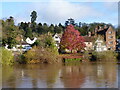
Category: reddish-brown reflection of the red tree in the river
<point>72,76</point>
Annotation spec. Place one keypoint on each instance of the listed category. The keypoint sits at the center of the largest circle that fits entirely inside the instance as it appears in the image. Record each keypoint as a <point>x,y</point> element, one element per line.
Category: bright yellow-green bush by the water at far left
<point>7,57</point>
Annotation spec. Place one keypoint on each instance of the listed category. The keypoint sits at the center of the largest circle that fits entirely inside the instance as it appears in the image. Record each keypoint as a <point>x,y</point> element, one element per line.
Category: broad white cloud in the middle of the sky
<point>59,11</point>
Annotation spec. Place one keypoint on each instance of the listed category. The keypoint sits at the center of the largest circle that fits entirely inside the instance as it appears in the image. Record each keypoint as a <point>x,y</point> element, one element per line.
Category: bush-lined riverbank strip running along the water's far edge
<point>46,55</point>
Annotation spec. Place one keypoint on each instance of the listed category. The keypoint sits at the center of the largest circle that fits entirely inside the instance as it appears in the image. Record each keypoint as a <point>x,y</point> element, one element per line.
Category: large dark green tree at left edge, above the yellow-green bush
<point>9,32</point>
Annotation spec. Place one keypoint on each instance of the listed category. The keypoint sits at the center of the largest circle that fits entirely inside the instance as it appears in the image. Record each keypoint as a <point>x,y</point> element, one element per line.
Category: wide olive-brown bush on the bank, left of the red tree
<point>41,55</point>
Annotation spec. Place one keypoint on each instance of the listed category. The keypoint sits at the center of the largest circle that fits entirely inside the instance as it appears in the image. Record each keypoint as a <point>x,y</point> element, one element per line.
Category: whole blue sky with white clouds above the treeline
<point>54,11</point>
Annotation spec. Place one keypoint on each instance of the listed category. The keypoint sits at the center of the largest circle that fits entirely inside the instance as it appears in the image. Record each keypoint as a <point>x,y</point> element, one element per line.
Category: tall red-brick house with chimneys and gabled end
<point>109,35</point>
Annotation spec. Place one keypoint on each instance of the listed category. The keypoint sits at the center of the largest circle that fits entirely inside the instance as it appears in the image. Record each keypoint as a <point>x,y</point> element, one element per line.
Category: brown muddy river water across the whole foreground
<point>77,75</point>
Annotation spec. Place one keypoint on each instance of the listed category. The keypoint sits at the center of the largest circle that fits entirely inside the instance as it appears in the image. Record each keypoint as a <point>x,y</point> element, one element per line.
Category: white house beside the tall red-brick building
<point>100,46</point>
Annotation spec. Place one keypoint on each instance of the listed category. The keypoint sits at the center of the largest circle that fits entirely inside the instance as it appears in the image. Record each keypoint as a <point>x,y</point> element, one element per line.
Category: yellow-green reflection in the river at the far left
<point>10,77</point>
